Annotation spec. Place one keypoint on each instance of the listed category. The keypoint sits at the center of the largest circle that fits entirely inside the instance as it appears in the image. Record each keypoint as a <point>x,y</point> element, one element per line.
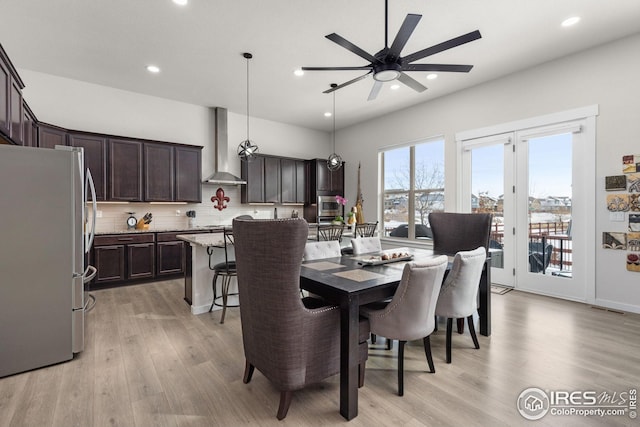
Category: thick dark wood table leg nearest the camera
<point>349,323</point>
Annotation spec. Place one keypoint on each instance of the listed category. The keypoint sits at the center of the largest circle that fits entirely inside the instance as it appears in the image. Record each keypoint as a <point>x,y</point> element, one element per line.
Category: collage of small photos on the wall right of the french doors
<point>629,201</point>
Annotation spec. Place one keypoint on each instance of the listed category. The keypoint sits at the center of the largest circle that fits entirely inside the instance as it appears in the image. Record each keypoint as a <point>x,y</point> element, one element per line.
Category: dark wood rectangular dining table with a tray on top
<point>352,281</point>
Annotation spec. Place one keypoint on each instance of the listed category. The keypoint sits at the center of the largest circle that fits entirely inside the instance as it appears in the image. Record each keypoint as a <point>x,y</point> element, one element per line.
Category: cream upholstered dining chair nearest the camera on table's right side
<point>410,313</point>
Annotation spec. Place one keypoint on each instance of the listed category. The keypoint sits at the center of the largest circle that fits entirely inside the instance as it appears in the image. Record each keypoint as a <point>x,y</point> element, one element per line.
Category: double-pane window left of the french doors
<point>413,186</point>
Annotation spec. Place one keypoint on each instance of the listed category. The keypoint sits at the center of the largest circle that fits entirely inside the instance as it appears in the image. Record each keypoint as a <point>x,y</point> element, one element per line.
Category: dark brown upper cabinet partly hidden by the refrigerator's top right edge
<point>95,159</point>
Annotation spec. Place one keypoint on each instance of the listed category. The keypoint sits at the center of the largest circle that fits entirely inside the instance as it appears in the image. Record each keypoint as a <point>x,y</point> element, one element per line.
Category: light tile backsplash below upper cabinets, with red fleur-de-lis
<point>112,217</point>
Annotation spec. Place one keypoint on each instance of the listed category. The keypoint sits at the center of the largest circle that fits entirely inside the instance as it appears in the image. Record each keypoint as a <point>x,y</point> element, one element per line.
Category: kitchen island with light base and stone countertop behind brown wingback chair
<point>198,275</point>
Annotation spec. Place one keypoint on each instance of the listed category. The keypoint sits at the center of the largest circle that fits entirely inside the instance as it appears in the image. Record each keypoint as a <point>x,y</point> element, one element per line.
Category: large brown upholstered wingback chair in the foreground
<point>291,340</point>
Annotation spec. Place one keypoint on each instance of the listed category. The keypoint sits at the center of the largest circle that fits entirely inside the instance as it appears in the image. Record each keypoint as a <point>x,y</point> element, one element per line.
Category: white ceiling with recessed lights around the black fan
<point>199,47</point>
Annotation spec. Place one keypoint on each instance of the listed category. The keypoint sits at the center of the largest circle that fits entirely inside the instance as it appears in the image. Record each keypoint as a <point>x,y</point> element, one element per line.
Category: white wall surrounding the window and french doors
<point>606,76</point>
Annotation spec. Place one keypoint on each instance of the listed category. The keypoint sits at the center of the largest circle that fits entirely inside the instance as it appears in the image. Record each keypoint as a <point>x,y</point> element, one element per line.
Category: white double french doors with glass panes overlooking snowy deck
<point>539,183</point>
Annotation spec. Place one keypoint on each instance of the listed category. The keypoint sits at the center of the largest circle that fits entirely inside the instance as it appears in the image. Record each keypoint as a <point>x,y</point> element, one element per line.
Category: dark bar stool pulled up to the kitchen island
<point>227,270</point>
